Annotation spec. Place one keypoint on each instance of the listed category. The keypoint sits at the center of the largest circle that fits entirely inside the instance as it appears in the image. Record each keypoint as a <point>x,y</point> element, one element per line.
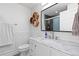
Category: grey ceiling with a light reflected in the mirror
<point>54,10</point>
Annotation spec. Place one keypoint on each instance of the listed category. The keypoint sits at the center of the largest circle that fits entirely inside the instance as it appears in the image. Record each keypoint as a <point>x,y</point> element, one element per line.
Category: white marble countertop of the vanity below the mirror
<point>68,47</point>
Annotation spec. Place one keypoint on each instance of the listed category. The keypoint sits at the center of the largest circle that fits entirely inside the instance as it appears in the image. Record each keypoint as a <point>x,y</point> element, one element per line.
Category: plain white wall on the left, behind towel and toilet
<point>16,14</point>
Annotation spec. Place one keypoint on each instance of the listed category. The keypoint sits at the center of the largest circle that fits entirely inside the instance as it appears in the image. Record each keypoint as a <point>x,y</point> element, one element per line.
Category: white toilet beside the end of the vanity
<point>23,49</point>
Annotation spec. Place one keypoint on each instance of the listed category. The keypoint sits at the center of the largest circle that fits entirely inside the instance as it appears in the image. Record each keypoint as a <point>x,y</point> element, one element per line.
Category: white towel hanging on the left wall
<point>5,34</point>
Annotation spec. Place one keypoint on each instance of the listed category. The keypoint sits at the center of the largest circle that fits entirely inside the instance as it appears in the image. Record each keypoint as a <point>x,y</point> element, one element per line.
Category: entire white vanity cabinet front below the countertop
<point>37,48</point>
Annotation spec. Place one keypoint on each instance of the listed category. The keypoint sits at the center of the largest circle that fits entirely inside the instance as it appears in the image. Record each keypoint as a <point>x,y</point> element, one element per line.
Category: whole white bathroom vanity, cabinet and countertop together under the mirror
<point>50,47</point>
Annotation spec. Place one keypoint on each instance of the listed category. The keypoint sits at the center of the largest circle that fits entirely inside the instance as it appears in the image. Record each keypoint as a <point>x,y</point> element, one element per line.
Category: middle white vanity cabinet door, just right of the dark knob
<point>42,50</point>
